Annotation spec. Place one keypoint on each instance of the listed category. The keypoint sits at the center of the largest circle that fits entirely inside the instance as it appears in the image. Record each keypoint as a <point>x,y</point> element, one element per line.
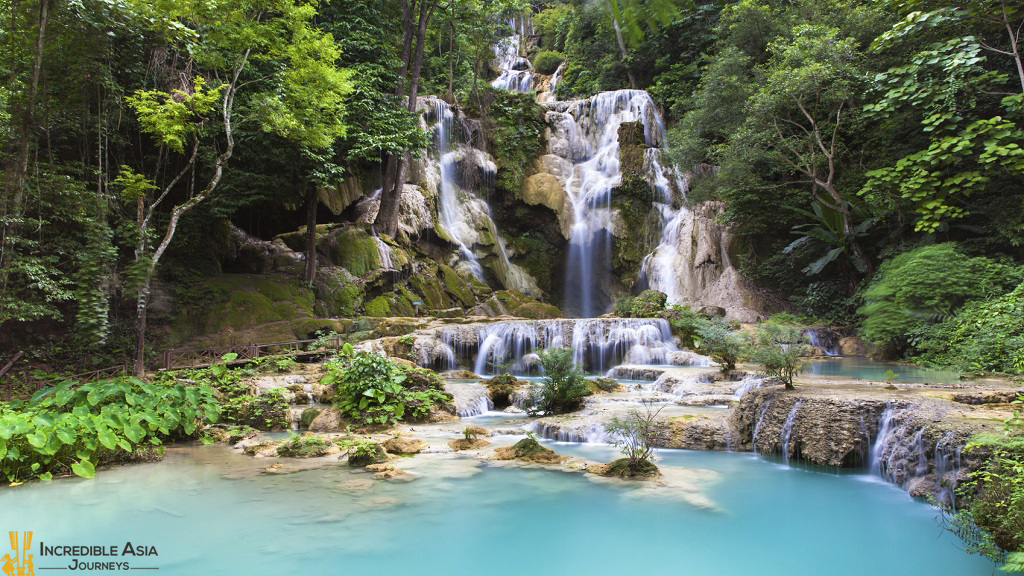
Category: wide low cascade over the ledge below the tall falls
<point>598,344</point>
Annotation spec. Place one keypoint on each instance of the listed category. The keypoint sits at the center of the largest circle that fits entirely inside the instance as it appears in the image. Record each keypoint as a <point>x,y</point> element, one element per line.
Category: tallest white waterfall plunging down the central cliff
<point>590,132</point>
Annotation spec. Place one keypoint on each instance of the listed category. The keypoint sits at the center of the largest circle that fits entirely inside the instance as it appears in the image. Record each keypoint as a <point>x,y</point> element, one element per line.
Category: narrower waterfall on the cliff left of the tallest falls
<point>462,215</point>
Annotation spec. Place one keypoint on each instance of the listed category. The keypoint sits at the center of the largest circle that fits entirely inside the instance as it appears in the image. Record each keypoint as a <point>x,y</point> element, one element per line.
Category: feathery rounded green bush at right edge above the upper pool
<point>927,285</point>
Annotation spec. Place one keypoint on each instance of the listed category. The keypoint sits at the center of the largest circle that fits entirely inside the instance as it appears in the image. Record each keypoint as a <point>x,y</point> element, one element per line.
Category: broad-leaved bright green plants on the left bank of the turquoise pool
<point>74,428</point>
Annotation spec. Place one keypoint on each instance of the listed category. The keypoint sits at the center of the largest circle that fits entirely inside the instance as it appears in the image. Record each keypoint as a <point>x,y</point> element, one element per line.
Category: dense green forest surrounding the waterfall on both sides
<point>868,153</point>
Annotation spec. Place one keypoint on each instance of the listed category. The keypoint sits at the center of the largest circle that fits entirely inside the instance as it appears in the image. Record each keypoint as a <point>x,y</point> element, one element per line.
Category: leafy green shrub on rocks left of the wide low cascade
<point>374,391</point>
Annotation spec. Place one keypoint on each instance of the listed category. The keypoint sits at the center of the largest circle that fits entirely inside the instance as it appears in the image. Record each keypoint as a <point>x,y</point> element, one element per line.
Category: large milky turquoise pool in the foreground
<point>207,513</point>
